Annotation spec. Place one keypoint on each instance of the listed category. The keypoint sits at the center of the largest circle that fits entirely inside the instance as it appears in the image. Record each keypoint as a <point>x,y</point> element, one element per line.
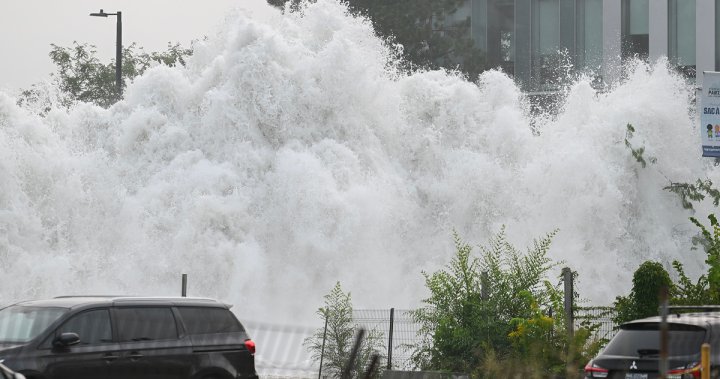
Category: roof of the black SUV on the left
<point>84,300</point>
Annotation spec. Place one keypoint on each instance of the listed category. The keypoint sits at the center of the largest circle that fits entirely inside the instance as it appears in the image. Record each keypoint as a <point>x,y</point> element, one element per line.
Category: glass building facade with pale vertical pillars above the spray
<point>540,41</point>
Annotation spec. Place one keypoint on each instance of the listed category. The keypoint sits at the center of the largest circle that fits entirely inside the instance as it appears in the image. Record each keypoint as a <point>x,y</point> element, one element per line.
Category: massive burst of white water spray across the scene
<point>291,154</point>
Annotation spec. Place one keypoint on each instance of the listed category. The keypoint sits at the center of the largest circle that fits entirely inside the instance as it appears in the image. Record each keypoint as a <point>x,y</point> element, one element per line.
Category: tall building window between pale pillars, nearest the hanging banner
<point>681,35</point>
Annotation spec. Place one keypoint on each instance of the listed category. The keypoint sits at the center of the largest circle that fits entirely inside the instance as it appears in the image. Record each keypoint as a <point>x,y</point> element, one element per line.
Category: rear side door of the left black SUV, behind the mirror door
<point>150,345</point>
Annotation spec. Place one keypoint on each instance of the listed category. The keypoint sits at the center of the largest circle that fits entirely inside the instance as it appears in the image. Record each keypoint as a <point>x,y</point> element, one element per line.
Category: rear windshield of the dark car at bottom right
<point>643,340</point>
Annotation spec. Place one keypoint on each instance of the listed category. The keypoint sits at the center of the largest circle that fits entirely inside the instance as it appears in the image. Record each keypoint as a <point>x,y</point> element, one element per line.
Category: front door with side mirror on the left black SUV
<point>91,358</point>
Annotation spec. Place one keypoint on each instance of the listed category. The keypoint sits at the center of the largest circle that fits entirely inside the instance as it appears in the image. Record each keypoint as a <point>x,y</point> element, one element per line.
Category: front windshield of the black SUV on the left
<point>19,324</point>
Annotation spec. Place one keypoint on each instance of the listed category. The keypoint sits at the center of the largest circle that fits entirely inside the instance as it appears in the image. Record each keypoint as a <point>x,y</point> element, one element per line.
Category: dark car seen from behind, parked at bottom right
<point>634,352</point>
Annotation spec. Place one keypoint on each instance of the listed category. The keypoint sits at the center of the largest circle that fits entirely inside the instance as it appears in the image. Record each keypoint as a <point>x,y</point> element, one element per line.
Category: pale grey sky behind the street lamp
<point>29,27</point>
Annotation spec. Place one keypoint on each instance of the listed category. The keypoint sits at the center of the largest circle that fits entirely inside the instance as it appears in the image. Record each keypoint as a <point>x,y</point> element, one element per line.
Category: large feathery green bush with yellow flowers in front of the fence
<point>486,314</point>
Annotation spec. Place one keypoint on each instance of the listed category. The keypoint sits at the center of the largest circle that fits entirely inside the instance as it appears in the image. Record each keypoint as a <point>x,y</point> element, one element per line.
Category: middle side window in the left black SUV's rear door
<point>145,324</point>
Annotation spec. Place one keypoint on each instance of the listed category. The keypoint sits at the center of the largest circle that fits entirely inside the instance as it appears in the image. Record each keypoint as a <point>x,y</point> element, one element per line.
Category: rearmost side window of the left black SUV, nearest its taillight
<point>201,320</point>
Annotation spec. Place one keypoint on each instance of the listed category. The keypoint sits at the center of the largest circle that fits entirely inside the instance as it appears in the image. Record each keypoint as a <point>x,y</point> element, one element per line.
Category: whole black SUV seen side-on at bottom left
<point>125,337</point>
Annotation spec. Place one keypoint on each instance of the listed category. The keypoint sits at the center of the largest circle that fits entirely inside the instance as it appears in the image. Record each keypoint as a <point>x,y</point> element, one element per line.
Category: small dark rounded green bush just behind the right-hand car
<point>643,300</point>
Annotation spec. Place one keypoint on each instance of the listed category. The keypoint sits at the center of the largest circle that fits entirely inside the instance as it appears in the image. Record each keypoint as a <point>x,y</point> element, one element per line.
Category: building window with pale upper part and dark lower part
<point>635,29</point>
